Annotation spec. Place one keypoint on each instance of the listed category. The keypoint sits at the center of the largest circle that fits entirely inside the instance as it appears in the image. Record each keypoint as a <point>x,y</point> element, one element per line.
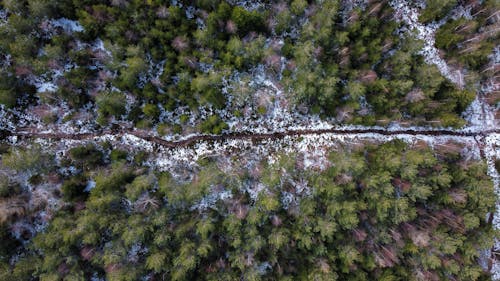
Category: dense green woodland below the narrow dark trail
<point>379,212</point>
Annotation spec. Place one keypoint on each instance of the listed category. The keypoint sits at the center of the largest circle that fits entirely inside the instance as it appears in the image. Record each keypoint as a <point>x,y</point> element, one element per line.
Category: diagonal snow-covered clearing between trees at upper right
<point>409,15</point>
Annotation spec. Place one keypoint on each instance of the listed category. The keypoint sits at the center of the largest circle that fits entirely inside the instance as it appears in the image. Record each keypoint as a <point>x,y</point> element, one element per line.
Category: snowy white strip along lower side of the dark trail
<point>313,147</point>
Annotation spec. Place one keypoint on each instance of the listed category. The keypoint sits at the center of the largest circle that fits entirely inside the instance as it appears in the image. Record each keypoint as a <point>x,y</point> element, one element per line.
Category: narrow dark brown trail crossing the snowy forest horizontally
<point>245,135</point>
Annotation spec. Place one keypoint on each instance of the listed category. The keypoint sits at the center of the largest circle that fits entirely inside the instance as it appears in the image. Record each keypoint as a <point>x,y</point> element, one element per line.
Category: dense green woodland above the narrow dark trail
<point>354,64</point>
